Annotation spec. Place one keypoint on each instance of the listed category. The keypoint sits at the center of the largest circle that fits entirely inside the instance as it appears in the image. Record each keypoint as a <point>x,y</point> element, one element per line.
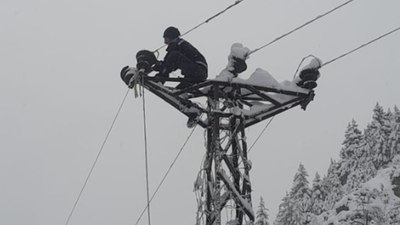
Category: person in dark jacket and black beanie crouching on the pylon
<point>182,55</point>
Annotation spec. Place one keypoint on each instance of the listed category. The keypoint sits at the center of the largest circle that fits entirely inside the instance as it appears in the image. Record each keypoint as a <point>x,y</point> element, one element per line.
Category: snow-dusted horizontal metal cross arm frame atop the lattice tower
<point>253,103</point>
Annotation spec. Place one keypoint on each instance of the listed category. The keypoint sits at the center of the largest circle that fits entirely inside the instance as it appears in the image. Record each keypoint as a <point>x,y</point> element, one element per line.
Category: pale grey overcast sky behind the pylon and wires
<point>60,89</point>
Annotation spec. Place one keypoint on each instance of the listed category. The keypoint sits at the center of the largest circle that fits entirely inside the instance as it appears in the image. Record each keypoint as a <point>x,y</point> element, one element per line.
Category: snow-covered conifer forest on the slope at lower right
<point>361,187</point>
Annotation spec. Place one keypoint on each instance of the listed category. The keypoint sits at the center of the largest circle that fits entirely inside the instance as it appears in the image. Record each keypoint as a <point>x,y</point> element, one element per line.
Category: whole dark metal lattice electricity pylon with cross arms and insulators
<point>224,181</point>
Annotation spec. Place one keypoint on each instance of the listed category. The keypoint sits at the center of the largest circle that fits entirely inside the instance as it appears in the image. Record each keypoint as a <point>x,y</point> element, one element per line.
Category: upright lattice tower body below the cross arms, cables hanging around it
<point>226,188</point>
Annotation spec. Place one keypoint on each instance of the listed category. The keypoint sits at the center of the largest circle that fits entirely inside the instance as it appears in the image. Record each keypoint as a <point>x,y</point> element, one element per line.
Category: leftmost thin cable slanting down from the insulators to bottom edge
<point>97,158</point>
